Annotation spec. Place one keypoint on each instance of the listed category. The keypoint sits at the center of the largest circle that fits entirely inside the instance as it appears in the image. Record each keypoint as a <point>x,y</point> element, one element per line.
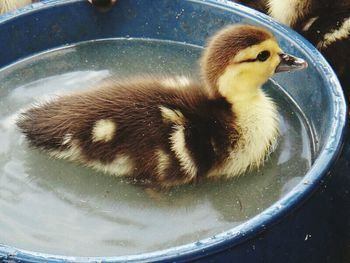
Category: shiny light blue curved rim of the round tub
<point>258,223</point>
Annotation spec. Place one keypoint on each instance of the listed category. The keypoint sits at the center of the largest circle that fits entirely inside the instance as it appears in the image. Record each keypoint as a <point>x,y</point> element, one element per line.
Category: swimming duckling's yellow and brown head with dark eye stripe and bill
<point>240,58</point>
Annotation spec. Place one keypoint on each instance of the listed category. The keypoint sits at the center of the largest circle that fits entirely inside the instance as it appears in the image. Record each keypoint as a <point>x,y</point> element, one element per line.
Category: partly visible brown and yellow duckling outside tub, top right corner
<point>326,24</point>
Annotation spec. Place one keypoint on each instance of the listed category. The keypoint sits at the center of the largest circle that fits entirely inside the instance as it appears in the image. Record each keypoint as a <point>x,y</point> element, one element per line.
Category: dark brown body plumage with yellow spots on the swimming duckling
<point>156,133</point>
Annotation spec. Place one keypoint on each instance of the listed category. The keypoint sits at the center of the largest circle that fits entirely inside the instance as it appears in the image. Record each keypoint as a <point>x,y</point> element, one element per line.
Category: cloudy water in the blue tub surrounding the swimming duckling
<point>58,207</point>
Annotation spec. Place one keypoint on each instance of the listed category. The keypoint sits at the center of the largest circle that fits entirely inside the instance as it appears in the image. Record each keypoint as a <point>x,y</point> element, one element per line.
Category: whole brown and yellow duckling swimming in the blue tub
<point>165,132</point>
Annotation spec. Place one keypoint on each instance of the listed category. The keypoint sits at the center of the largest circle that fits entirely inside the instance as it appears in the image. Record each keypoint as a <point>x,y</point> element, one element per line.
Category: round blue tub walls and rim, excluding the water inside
<point>311,224</point>
